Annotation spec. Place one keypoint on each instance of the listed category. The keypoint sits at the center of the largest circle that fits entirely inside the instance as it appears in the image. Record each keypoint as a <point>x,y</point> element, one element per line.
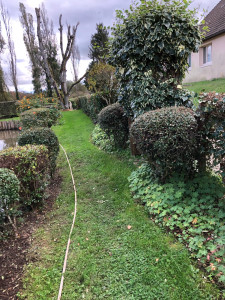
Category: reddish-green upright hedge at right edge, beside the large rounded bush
<point>210,114</point>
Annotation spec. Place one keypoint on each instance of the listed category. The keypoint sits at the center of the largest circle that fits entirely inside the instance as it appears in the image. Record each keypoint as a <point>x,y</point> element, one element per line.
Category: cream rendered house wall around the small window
<point>208,71</point>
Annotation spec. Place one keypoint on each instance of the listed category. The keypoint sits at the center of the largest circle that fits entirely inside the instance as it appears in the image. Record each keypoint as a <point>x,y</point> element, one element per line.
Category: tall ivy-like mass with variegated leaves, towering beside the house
<point>150,51</point>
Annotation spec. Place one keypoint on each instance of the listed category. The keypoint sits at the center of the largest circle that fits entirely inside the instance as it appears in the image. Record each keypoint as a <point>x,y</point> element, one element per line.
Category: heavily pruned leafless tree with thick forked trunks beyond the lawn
<point>71,35</point>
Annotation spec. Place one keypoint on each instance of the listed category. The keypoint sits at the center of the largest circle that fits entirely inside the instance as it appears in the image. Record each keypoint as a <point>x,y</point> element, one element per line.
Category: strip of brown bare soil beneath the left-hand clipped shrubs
<point>13,252</point>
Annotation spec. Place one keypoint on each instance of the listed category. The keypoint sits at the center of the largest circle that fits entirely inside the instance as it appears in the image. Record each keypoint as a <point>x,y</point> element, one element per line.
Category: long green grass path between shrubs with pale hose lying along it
<point>106,260</point>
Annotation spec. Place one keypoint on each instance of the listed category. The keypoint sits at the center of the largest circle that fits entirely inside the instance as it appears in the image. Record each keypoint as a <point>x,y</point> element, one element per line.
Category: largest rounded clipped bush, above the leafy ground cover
<point>168,138</point>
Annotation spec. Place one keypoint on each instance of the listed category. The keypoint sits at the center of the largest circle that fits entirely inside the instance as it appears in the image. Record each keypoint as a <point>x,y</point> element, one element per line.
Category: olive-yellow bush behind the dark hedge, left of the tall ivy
<point>101,79</point>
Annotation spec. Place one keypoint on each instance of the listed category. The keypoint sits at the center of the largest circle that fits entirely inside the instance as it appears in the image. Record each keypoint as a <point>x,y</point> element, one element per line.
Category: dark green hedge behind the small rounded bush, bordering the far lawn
<point>92,105</point>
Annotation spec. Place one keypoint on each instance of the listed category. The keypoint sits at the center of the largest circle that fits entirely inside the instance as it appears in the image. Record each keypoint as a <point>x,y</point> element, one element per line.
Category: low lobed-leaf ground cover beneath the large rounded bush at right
<point>193,210</point>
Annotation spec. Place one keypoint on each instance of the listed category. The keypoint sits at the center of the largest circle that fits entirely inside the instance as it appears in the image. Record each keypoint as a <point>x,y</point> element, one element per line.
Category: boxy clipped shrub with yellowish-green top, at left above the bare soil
<point>31,165</point>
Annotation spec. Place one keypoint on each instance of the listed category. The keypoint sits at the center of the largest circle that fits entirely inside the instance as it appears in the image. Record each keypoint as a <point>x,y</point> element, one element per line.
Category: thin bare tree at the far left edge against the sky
<point>11,48</point>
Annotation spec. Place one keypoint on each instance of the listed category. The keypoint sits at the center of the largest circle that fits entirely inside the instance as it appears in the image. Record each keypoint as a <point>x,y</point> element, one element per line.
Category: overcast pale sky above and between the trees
<point>87,12</point>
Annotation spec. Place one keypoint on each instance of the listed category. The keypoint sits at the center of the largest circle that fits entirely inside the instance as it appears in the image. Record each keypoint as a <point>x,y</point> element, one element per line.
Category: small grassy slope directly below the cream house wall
<point>216,85</point>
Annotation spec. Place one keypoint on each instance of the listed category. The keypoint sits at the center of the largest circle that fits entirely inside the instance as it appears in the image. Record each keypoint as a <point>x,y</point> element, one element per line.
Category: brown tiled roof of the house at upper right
<point>215,20</point>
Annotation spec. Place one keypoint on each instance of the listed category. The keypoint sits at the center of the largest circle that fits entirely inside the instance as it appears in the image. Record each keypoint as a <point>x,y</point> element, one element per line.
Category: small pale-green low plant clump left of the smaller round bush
<point>102,140</point>
